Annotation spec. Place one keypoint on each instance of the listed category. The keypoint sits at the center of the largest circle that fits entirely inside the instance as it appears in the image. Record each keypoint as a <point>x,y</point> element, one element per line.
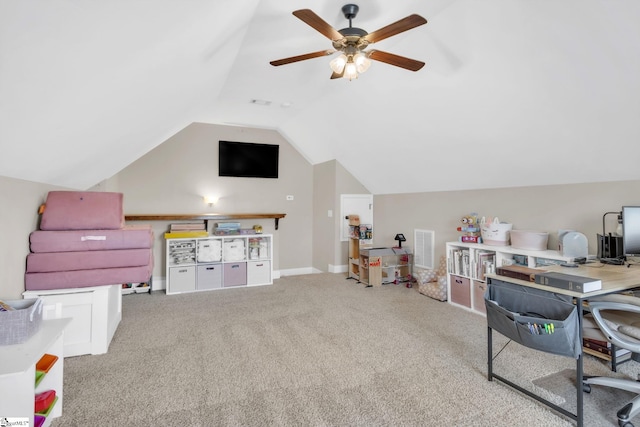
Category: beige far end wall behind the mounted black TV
<point>175,176</point>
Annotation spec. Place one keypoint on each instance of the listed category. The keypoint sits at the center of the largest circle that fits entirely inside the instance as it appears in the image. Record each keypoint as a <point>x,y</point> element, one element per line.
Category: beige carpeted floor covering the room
<point>312,350</point>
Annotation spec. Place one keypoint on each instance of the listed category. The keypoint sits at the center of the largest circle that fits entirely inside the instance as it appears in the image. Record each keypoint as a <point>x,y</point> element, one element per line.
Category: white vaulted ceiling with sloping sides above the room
<point>514,93</point>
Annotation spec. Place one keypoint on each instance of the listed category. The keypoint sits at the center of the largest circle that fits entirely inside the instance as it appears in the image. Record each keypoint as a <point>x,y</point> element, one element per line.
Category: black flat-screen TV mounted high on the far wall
<point>248,160</point>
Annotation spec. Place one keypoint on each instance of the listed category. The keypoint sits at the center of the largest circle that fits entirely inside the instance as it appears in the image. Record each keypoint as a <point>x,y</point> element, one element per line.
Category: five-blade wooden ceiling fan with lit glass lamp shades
<point>352,42</point>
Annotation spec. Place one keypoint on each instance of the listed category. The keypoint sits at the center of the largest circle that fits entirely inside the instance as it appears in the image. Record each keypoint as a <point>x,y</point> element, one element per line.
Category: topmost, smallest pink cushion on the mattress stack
<point>82,210</point>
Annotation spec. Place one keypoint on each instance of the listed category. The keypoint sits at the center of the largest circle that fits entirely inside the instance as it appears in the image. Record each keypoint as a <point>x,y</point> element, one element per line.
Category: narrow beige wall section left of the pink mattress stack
<point>19,215</point>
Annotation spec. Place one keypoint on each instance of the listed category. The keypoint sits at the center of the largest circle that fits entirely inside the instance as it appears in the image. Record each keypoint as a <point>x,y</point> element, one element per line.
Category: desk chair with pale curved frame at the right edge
<point>618,319</point>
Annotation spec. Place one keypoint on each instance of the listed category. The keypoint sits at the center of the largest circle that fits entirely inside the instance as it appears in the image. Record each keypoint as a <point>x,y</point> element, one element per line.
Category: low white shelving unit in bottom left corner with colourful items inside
<point>18,372</point>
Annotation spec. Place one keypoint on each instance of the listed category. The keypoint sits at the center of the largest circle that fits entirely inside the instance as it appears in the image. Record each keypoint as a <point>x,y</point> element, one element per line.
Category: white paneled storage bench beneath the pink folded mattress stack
<point>95,314</point>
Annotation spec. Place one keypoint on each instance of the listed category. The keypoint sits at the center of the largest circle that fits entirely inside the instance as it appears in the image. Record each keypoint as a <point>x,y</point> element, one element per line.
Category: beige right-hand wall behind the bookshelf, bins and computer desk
<point>578,207</point>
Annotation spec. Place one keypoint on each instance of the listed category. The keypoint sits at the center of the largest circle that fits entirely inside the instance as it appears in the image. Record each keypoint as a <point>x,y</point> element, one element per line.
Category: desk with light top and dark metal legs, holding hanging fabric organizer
<point>615,279</point>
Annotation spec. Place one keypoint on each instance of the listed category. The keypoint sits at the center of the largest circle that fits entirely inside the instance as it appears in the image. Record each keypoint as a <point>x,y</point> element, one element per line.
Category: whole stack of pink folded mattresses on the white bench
<point>82,241</point>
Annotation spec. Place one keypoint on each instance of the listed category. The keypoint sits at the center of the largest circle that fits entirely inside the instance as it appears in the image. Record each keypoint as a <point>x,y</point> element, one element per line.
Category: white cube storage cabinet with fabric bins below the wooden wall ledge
<point>217,262</point>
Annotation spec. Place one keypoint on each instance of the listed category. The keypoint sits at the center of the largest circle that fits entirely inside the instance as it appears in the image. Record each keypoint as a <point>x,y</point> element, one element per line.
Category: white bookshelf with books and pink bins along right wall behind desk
<point>467,264</point>
